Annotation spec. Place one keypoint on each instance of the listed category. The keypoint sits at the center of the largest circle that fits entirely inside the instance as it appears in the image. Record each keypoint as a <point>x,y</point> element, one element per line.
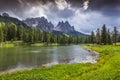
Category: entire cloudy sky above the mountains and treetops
<point>84,15</point>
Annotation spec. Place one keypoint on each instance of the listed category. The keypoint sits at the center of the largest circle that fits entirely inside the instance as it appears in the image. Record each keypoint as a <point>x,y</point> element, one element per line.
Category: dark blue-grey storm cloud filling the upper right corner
<point>107,7</point>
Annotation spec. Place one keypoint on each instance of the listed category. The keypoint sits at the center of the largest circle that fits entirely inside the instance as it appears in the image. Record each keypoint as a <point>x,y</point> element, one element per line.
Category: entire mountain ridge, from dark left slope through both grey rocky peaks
<point>43,24</point>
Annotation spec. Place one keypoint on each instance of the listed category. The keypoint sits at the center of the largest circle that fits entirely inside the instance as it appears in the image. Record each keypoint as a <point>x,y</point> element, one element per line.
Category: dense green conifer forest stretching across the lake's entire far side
<point>12,32</point>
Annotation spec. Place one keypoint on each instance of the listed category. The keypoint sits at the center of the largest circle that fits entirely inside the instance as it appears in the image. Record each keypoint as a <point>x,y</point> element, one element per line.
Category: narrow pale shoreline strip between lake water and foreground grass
<point>52,64</point>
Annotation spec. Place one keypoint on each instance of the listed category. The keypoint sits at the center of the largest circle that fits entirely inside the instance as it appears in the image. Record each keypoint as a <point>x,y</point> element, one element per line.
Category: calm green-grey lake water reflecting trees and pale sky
<point>29,57</point>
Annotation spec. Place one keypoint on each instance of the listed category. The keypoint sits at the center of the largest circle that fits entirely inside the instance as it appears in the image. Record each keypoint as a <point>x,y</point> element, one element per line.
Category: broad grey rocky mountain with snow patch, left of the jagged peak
<point>40,23</point>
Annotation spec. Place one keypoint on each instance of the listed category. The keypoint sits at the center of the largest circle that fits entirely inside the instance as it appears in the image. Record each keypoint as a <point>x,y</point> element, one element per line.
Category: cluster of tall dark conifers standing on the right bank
<point>105,36</point>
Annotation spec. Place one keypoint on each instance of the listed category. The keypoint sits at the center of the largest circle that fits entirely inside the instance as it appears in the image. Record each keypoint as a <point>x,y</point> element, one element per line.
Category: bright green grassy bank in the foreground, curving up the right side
<point>107,68</point>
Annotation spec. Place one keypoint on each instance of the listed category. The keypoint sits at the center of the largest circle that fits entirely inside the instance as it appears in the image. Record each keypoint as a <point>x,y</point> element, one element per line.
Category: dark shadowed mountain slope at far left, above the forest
<point>7,19</point>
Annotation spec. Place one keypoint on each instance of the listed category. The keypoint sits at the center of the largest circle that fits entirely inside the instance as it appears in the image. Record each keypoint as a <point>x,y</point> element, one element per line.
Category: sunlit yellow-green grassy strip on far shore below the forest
<point>9,44</point>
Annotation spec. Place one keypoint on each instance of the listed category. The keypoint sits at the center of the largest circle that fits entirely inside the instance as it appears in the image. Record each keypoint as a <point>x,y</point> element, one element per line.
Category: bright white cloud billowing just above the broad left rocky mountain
<point>38,11</point>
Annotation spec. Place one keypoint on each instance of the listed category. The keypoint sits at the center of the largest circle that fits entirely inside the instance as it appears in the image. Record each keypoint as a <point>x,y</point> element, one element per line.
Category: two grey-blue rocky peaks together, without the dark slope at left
<point>61,28</point>
